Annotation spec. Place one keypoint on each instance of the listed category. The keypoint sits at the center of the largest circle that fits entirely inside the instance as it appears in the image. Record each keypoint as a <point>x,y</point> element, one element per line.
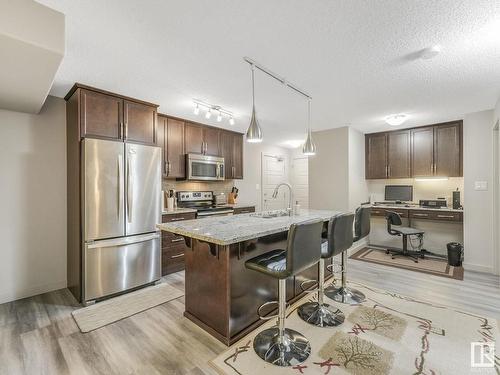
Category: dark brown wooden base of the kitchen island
<point>223,296</point>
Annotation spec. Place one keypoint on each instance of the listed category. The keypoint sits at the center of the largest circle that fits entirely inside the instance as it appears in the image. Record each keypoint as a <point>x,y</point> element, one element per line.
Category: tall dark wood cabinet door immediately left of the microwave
<point>175,148</point>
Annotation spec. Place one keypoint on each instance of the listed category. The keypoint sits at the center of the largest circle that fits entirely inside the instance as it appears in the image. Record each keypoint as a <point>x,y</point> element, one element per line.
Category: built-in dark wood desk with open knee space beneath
<point>441,226</point>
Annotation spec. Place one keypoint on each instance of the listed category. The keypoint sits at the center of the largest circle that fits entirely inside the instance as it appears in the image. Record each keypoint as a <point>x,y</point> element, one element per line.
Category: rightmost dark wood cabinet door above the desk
<point>447,150</point>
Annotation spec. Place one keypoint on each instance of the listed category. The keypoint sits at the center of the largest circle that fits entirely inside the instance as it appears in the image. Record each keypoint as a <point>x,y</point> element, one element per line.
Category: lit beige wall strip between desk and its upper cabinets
<point>428,189</point>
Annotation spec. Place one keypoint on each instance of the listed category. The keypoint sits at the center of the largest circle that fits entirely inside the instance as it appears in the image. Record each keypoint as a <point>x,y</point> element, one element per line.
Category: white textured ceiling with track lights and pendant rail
<point>358,59</point>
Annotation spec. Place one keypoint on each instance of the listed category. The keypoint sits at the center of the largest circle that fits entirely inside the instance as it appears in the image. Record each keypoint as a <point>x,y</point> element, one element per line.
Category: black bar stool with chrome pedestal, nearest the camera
<point>279,345</point>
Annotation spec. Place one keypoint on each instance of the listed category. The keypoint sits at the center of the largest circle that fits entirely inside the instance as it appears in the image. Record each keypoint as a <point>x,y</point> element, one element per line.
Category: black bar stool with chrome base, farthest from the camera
<point>344,294</point>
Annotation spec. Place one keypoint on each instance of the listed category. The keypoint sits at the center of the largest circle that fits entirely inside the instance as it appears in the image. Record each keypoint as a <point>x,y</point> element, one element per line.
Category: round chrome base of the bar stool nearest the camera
<point>293,349</point>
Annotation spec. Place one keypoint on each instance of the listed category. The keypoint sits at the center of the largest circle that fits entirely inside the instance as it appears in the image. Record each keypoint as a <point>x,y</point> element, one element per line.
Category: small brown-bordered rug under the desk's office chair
<point>431,266</point>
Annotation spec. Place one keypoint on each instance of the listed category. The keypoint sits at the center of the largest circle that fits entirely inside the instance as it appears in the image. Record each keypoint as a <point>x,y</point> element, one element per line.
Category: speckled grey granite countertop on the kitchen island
<point>226,230</point>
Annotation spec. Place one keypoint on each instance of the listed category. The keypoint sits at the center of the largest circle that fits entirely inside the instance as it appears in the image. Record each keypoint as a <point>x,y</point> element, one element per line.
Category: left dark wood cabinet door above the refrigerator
<point>101,115</point>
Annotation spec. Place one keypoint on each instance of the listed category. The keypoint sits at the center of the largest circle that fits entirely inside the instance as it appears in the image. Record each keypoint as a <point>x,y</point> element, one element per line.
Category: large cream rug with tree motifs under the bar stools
<point>387,334</point>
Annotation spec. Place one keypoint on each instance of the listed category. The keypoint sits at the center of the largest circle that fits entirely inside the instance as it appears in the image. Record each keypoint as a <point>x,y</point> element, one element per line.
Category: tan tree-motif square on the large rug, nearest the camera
<point>358,356</point>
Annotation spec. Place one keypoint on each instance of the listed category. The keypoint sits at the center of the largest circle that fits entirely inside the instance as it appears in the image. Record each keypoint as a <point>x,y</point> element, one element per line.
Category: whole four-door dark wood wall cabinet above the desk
<point>427,151</point>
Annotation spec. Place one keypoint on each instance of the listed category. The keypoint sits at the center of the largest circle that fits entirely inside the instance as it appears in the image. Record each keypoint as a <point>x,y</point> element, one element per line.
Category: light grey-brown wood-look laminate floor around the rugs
<point>38,334</point>
